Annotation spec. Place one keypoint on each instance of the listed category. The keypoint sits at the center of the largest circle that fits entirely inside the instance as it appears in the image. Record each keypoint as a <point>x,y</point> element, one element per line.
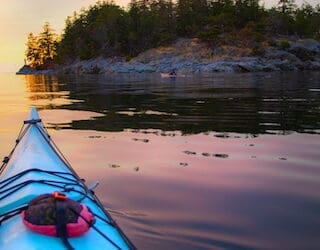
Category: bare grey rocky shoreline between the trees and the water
<point>189,56</point>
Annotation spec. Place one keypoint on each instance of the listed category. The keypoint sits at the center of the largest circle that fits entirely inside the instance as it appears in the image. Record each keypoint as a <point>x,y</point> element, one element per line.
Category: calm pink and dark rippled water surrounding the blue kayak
<point>219,162</point>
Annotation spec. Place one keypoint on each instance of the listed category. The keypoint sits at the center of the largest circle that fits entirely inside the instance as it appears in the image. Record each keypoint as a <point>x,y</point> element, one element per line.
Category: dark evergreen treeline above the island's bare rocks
<point>106,29</point>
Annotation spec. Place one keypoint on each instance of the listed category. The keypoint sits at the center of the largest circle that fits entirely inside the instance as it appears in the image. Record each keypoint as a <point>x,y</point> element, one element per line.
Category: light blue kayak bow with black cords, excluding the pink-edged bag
<point>35,167</point>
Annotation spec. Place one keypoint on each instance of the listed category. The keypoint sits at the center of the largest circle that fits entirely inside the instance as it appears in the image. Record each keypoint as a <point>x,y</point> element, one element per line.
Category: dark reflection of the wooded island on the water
<point>244,103</point>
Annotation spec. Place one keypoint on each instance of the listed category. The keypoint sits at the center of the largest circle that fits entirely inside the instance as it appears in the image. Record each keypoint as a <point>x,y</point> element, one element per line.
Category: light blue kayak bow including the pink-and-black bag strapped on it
<point>44,204</point>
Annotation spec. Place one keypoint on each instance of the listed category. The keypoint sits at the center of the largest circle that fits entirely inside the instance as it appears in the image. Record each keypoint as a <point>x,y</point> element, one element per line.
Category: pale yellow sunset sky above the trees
<point>20,17</point>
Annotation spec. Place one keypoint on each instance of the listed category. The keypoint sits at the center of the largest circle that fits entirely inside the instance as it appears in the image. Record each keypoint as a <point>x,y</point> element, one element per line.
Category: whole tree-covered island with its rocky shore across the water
<point>189,36</point>
